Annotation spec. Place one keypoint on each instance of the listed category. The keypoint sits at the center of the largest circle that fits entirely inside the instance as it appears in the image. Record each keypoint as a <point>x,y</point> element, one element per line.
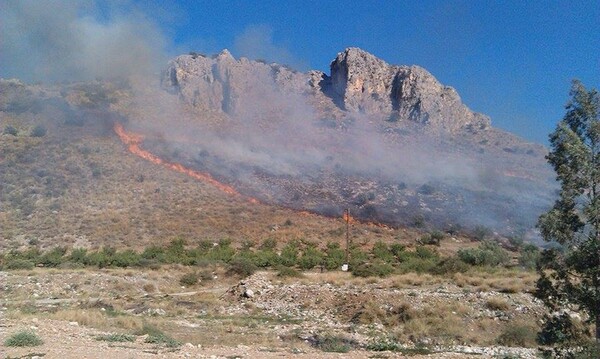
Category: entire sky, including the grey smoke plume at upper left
<point>512,60</point>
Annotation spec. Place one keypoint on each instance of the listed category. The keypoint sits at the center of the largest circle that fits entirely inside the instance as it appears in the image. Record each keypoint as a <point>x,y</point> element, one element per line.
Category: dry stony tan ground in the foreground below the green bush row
<point>261,316</point>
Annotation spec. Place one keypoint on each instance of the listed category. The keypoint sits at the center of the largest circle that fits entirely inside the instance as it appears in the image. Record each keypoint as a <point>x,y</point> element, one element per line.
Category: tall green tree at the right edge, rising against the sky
<point>570,274</point>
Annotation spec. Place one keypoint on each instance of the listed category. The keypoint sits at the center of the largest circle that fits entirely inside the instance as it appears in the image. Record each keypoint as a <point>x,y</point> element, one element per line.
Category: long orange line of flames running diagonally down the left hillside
<point>133,141</point>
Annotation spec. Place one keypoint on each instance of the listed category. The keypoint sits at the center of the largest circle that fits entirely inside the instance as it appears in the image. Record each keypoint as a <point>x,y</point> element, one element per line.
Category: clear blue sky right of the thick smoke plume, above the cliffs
<point>512,60</point>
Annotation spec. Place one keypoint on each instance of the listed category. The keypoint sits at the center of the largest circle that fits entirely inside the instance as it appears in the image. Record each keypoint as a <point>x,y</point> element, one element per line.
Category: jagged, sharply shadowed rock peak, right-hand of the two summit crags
<point>365,83</point>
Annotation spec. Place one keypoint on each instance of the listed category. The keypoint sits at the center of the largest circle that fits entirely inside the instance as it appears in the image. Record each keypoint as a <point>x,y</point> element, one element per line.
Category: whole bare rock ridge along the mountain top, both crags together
<point>359,82</point>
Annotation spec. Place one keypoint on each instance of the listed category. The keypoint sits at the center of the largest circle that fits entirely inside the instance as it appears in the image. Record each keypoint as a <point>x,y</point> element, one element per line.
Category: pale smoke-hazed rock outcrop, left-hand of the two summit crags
<point>235,87</point>
